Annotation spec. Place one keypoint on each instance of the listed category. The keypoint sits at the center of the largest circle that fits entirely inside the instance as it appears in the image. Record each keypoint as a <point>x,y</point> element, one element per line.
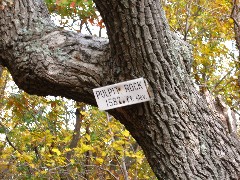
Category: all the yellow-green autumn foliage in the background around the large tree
<point>57,138</point>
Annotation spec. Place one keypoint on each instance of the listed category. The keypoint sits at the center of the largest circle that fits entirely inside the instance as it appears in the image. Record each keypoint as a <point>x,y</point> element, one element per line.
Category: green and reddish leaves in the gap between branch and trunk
<point>75,14</point>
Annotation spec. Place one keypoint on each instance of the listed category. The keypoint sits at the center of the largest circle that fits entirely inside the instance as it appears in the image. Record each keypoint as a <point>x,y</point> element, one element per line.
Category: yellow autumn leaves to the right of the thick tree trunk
<point>208,27</point>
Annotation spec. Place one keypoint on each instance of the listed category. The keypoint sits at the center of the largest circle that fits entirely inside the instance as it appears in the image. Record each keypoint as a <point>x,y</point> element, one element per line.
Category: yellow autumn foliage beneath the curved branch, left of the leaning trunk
<point>39,132</point>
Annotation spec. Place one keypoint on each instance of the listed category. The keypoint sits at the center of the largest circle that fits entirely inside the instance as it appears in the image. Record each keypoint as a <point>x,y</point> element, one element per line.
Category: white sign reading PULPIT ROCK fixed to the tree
<point>121,94</point>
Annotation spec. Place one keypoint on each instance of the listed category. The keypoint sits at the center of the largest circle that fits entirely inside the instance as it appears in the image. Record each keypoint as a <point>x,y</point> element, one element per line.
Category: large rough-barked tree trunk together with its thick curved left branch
<point>179,134</point>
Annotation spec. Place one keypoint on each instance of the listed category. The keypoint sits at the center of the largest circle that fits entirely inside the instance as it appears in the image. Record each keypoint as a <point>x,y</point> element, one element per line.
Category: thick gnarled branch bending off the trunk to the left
<point>46,60</point>
